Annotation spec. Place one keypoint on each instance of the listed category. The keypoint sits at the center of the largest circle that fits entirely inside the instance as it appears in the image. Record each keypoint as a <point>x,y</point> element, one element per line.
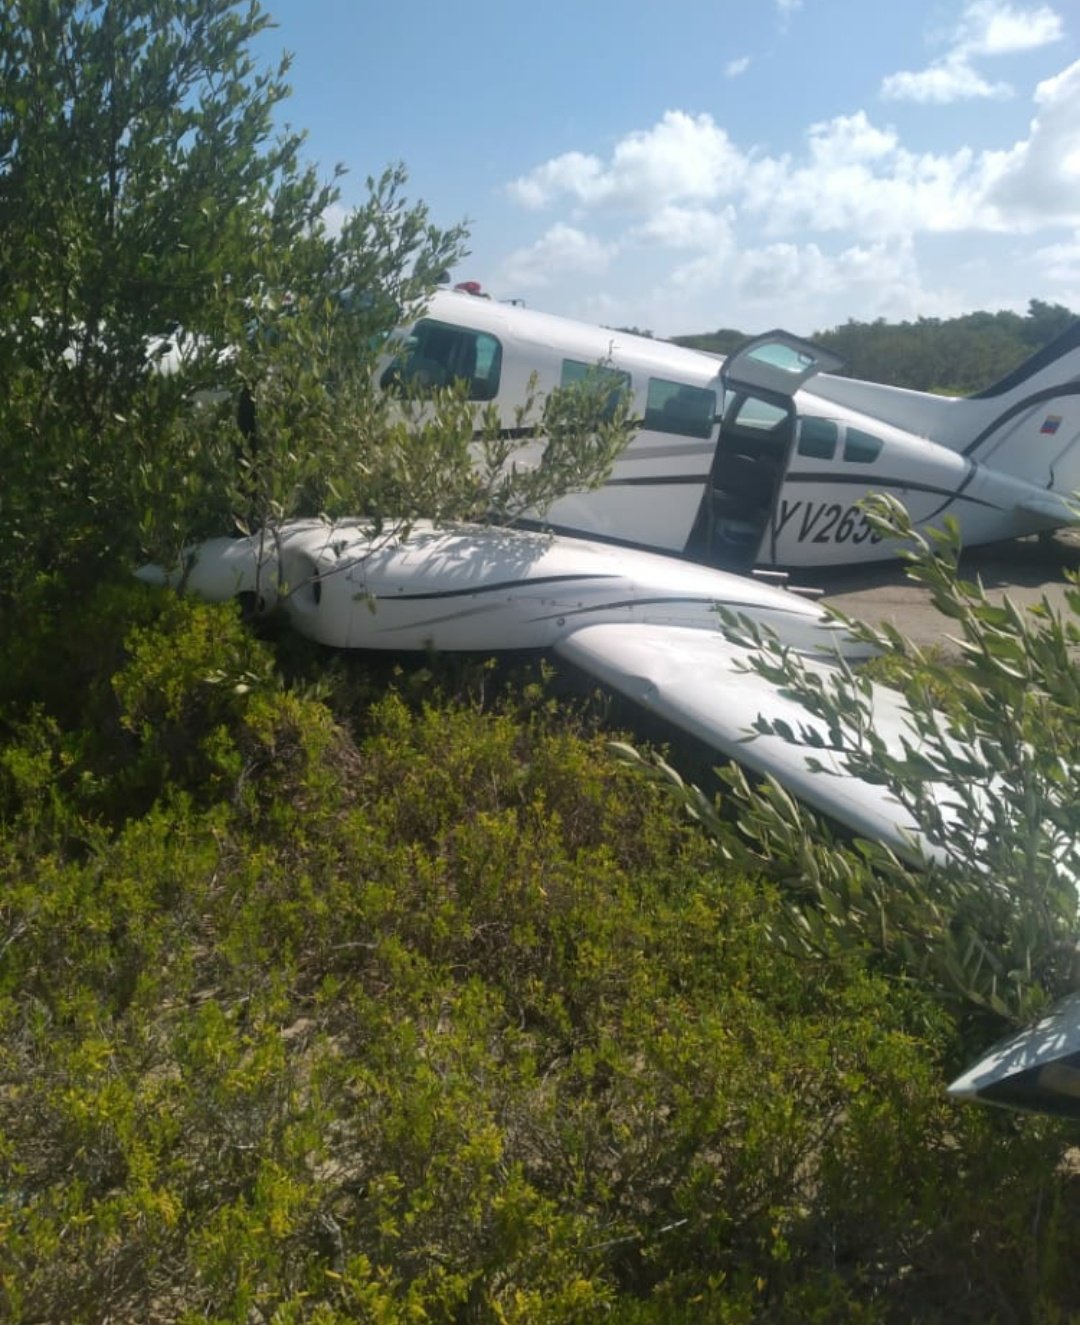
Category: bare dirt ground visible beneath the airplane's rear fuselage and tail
<point>1025,570</point>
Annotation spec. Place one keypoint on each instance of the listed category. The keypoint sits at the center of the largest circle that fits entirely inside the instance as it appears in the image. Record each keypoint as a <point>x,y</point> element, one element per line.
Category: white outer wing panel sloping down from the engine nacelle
<point>703,683</point>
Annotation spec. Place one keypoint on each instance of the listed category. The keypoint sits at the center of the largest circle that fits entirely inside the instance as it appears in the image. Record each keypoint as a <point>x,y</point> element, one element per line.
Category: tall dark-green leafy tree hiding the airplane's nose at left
<point>186,348</point>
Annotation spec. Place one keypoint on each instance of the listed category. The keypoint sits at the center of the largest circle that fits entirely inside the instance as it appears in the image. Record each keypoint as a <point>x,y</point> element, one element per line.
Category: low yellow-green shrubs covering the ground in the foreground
<point>446,1017</point>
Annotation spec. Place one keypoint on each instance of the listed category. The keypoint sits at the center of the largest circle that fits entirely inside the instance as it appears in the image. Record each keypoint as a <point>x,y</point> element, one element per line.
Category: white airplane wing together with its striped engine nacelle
<point>645,625</point>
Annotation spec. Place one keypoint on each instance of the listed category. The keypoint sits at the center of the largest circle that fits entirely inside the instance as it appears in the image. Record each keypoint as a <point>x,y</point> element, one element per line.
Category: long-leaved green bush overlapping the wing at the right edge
<point>992,778</point>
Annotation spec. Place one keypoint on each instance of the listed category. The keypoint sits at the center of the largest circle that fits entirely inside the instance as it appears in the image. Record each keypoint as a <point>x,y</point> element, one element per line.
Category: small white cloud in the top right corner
<point>985,28</point>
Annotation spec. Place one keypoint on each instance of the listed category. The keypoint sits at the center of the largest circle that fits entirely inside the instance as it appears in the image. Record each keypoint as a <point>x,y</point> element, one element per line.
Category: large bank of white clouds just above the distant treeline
<point>690,229</point>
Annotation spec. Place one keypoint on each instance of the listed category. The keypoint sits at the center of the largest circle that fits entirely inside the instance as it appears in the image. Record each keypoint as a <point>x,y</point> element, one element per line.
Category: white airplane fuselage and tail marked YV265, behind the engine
<point>761,459</point>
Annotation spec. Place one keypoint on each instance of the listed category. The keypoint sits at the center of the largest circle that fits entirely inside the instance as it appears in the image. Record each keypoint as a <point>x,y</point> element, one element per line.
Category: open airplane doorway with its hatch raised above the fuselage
<point>755,445</point>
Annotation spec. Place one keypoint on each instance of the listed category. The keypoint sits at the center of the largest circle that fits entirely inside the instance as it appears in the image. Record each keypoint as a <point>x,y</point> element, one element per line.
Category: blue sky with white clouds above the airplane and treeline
<point>682,165</point>
